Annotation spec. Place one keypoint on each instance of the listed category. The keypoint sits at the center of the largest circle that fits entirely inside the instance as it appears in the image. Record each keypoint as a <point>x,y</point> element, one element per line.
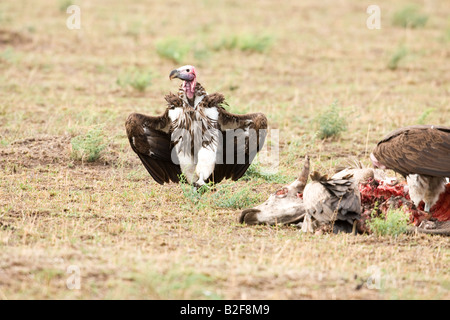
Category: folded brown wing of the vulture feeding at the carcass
<point>416,150</point>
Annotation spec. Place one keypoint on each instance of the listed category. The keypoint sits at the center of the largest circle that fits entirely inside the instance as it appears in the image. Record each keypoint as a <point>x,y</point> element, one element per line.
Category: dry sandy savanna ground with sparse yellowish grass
<point>124,235</point>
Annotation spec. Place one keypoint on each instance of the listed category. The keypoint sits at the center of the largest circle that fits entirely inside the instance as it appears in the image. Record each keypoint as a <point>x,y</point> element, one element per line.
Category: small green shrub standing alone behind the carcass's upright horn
<point>330,123</point>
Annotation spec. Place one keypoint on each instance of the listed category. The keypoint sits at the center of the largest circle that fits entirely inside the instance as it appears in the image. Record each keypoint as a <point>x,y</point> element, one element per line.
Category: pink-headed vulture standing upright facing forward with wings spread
<point>196,136</point>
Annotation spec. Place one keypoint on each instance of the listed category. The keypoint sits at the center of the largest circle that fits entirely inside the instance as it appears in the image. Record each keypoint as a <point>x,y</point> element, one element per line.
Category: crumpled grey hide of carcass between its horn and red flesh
<point>333,200</point>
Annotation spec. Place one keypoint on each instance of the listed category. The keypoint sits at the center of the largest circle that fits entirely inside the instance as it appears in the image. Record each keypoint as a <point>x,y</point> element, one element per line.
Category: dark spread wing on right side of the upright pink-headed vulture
<point>242,138</point>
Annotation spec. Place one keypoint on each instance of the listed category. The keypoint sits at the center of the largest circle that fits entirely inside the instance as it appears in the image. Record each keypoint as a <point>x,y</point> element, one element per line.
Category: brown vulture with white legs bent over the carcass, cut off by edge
<point>422,155</point>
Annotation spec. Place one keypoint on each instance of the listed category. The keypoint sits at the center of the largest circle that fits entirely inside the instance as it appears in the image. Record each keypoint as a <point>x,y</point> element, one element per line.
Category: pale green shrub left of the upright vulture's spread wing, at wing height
<point>88,147</point>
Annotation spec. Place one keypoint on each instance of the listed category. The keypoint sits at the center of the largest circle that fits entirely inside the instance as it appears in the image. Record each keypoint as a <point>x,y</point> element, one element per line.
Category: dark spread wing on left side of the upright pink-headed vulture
<point>150,138</point>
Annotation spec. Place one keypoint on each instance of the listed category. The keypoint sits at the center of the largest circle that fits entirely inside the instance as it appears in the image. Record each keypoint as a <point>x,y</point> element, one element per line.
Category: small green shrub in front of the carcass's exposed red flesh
<point>395,222</point>
